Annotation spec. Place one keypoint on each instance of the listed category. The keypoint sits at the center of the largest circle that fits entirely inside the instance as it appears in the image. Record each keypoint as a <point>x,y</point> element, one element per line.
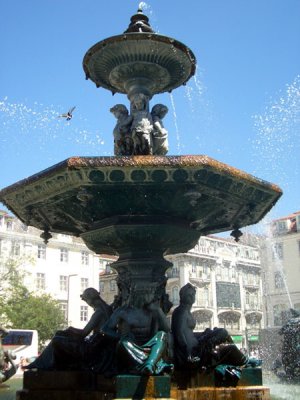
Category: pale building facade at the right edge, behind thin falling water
<point>280,257</point>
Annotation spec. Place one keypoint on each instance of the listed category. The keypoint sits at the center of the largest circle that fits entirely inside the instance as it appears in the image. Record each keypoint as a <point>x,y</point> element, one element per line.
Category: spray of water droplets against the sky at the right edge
<point>277,145</point>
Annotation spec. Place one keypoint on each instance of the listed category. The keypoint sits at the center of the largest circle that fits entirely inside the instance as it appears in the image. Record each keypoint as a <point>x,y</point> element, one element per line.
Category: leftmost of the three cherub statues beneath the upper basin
<point>123,144</point>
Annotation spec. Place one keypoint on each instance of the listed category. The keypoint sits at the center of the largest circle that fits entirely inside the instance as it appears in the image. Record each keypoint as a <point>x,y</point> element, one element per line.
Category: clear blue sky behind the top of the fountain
<point>242,107</point>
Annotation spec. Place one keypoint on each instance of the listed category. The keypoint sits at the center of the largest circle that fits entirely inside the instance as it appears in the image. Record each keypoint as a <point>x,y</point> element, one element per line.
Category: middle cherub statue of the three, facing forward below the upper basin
<point>142,124</point>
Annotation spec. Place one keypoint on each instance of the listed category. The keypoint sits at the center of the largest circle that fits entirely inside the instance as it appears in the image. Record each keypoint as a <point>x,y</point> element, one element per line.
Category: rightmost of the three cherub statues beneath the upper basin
<point>160,134</point>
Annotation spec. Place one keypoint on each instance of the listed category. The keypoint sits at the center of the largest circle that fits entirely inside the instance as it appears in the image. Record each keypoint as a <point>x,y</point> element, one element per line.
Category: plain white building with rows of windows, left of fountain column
<point>63,268</point>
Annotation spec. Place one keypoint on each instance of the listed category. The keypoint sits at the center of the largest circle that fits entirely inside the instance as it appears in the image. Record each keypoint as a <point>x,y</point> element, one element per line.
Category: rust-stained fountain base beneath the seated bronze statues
<point>84,385</point>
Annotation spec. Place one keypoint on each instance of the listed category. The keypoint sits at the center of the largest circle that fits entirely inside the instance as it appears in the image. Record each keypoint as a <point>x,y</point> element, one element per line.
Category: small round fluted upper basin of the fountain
<point>139,63</point>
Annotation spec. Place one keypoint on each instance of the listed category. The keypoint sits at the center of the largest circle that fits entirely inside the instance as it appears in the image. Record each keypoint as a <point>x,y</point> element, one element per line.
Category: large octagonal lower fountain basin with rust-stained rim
<point>197,193</point>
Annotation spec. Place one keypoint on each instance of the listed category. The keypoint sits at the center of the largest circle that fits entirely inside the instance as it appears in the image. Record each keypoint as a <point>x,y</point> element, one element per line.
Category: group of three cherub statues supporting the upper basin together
<point>141,132</point>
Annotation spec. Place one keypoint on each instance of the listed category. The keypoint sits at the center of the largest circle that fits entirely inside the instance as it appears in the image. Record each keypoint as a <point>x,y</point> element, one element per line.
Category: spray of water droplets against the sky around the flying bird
<point>23,123</point>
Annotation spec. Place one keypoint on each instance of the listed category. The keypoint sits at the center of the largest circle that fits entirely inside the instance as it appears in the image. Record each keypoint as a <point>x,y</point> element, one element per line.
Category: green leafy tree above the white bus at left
<point>24,309</point>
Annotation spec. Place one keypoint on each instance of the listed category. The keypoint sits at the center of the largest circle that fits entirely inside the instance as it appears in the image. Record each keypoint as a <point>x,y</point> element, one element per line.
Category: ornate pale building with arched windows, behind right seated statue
<point>227,276</point>
